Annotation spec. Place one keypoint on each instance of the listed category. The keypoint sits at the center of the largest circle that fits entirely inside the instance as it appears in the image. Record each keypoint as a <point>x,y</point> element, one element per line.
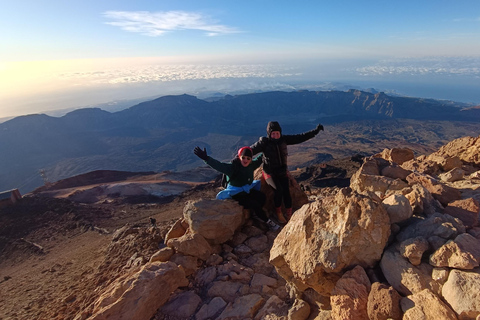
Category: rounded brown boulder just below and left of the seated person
<point>215,220</point>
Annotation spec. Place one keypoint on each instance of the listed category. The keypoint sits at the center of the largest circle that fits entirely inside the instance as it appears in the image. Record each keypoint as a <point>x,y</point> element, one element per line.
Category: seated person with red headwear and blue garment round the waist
<point>241,185</point>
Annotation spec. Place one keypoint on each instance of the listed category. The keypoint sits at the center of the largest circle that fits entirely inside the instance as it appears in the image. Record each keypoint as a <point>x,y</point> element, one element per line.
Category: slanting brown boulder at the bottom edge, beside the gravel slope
<point>138,296</point>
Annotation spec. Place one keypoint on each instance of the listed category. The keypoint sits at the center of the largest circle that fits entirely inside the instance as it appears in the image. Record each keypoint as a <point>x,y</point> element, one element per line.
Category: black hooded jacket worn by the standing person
<point>275,151</point>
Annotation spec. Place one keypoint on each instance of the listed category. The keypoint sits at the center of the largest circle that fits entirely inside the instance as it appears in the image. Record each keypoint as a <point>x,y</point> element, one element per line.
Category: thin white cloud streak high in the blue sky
<point>155,24</point>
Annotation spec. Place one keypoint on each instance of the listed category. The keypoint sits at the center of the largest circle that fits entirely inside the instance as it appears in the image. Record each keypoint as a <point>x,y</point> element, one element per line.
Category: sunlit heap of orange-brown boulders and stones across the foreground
<point>401,241</point>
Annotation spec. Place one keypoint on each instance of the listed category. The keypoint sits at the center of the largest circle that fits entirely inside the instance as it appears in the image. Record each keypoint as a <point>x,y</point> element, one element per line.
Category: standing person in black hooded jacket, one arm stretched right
<point>275,166</point>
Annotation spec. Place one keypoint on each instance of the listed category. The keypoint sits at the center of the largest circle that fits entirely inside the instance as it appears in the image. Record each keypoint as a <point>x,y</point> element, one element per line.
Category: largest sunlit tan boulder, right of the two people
<point>327,236</point>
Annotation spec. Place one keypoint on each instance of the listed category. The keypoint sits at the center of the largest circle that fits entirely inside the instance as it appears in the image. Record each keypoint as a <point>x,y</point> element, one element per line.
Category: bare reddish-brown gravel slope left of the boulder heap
<point>53,250</point>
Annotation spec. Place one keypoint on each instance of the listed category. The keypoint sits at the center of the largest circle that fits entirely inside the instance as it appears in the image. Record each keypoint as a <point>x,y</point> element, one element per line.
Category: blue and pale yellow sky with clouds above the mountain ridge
<point>70,54</point>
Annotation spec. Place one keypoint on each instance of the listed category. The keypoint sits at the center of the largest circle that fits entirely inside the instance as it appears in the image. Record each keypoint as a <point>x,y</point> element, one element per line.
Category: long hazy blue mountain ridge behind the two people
<point>160,134</point>
